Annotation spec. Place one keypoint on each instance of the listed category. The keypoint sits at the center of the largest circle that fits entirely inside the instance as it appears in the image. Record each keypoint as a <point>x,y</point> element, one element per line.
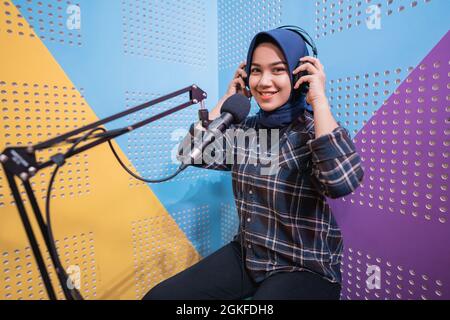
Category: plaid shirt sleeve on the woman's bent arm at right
<point>336,166</point>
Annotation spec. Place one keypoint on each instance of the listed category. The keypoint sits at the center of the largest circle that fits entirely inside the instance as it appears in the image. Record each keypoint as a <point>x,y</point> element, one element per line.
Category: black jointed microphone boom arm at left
<point>21,162</point>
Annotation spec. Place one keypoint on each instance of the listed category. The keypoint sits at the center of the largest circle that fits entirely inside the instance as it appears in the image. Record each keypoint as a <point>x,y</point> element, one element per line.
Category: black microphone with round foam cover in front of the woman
<point>234,110</point>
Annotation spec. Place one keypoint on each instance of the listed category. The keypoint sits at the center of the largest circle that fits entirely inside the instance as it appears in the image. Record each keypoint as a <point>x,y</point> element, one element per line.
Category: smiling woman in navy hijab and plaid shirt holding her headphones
<point>289,245</point>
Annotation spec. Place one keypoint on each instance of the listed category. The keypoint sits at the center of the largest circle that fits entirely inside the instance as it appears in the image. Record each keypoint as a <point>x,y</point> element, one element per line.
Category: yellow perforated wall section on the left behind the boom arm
<point>120,236</point>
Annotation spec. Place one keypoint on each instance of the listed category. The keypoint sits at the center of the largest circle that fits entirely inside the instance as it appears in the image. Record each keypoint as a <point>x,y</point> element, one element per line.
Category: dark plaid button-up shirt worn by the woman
<point>285,222</point>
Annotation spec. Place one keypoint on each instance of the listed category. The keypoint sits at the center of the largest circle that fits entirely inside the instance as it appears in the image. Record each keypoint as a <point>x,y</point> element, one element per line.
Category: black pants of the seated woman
<point>219,277</point>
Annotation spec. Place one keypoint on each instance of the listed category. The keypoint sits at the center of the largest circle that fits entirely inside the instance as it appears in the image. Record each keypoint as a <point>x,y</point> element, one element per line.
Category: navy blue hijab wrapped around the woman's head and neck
<point>293,48</point>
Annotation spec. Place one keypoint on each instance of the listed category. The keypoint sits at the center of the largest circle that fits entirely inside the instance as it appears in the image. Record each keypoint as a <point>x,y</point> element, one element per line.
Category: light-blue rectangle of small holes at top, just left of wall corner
<point>165,30</point>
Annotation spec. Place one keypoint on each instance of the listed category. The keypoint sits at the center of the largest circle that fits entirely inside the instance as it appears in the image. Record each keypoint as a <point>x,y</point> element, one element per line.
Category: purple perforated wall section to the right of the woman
<point>398,218</point>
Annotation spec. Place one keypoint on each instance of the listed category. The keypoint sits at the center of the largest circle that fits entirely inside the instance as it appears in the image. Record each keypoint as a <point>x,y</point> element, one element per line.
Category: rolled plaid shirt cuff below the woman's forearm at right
<point>331,146</point>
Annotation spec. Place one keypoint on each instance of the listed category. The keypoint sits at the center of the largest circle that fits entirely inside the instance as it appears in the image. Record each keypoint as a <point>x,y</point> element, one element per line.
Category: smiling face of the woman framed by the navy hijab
<point>269,79</point>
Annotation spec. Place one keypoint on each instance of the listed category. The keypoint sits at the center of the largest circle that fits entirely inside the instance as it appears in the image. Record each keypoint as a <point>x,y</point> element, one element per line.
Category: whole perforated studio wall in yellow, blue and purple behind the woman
<point>397,219</point>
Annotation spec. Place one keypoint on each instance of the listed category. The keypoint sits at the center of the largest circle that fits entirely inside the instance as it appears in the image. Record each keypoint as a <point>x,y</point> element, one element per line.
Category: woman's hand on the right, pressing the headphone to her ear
<point>316,79</point>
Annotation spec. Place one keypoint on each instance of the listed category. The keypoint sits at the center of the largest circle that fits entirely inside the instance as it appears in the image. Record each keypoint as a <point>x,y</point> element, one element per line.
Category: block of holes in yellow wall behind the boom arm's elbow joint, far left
<point>34,112</point>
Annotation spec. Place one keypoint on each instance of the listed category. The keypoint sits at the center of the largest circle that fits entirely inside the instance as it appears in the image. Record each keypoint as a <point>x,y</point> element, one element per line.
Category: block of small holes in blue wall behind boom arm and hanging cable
<point>152,148</point>
